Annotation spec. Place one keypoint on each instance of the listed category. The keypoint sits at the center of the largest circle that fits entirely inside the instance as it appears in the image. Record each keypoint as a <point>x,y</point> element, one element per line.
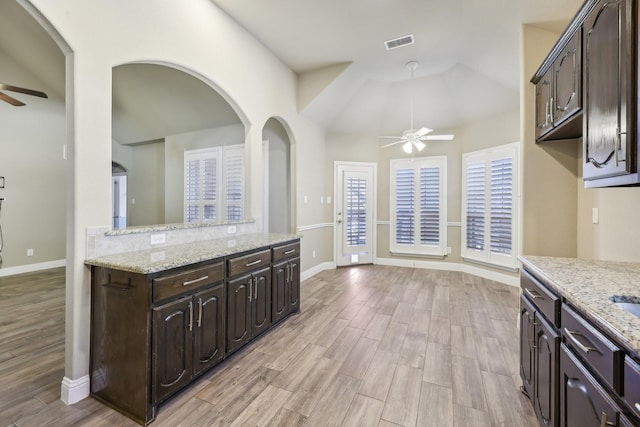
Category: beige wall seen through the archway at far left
<point>31,146</point>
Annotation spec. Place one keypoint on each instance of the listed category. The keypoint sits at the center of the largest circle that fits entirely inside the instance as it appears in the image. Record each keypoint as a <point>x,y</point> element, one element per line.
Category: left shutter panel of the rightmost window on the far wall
<point>475,213</point>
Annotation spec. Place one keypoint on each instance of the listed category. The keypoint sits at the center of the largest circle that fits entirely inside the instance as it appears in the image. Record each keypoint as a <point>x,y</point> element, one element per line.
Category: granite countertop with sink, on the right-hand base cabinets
<point>587,285</point>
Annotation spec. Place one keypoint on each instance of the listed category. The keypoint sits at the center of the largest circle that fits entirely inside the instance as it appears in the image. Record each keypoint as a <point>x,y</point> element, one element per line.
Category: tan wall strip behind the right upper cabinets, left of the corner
<point>550,184</point>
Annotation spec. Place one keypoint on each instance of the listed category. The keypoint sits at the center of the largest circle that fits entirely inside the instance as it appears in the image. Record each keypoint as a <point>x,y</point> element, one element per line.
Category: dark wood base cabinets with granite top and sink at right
<point>580,350</point>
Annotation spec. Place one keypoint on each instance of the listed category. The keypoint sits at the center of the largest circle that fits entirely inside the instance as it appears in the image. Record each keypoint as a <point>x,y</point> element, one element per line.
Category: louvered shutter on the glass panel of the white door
<point>356,212</point>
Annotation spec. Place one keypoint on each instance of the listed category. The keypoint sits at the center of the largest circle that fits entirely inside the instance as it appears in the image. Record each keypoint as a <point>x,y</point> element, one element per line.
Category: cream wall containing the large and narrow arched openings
<point>103,34</point>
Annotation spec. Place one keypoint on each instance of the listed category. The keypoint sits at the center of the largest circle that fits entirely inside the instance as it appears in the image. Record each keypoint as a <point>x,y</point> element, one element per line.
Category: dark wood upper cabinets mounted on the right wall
<point>591,74</point>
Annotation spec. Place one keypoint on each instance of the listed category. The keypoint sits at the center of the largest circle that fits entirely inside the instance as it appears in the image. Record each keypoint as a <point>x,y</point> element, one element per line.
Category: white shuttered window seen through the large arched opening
<point>214,184</point>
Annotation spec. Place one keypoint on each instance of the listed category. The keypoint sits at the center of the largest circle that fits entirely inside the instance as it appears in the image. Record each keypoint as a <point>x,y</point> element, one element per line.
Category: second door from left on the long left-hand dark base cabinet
<point>208,344</point>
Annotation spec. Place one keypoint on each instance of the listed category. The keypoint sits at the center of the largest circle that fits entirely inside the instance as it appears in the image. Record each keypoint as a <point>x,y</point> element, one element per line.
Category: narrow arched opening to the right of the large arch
<point>278,172</point>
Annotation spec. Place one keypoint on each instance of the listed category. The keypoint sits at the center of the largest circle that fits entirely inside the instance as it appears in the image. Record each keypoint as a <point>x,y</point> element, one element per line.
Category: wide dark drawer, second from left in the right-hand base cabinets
<point>601,355</point>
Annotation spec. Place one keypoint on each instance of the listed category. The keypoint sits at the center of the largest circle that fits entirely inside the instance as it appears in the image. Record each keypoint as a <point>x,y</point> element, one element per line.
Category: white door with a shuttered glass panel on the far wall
<point>355,208</point>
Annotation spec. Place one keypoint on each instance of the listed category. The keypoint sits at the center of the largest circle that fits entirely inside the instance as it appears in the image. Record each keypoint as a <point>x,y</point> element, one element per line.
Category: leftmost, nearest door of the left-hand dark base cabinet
<point>172,342</point>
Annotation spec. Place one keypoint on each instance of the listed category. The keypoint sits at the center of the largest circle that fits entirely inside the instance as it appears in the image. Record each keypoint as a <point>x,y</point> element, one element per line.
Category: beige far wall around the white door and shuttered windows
<point>490,131</point>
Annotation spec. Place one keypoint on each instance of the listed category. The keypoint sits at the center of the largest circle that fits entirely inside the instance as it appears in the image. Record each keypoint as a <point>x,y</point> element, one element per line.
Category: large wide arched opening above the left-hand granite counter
<point>182,144</point>
